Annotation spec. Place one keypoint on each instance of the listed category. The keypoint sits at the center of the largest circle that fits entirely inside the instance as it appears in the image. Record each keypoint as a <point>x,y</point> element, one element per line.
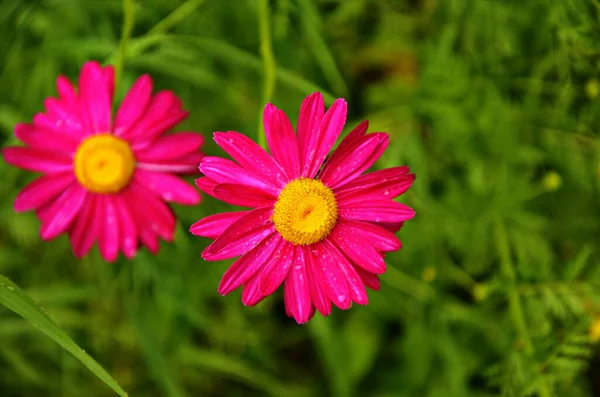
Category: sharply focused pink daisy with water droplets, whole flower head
<point>321,228</point>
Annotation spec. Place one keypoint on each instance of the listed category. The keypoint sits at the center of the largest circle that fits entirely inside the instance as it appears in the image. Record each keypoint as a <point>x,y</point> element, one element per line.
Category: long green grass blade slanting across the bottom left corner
<point>16,300</point>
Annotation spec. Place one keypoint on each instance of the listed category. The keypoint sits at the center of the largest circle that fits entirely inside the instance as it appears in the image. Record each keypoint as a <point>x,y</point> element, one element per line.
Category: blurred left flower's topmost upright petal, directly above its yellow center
<point>95,93</point>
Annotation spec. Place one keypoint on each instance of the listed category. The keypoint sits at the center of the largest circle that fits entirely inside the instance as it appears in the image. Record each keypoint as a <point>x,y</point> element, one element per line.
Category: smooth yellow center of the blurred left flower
<point>104,163</point>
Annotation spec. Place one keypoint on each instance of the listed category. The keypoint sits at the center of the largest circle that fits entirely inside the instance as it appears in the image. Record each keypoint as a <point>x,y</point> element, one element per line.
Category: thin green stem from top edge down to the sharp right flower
<point>266,52</point>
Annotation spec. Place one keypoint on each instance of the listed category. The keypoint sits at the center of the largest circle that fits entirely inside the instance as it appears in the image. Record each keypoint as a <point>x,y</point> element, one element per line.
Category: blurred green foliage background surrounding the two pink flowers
<point>492,103</point>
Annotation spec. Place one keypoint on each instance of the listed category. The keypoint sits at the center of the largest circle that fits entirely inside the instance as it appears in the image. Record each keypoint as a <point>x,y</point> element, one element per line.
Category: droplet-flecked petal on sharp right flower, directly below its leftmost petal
<point>242,235</point>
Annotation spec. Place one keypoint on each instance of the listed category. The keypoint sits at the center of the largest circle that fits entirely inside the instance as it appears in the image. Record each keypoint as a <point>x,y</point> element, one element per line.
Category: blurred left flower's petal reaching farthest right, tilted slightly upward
<point>171,147</point>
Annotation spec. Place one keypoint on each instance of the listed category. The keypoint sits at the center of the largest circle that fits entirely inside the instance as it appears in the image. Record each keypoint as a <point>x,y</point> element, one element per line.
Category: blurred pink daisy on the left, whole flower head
<point>106,179</point>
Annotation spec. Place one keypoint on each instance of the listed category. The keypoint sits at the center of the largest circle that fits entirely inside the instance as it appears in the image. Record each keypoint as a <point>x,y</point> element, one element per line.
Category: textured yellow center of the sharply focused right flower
<point>305,212</point>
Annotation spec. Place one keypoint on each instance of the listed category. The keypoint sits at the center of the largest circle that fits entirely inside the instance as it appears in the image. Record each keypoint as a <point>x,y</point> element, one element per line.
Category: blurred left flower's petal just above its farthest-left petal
<point>44,139</point>
